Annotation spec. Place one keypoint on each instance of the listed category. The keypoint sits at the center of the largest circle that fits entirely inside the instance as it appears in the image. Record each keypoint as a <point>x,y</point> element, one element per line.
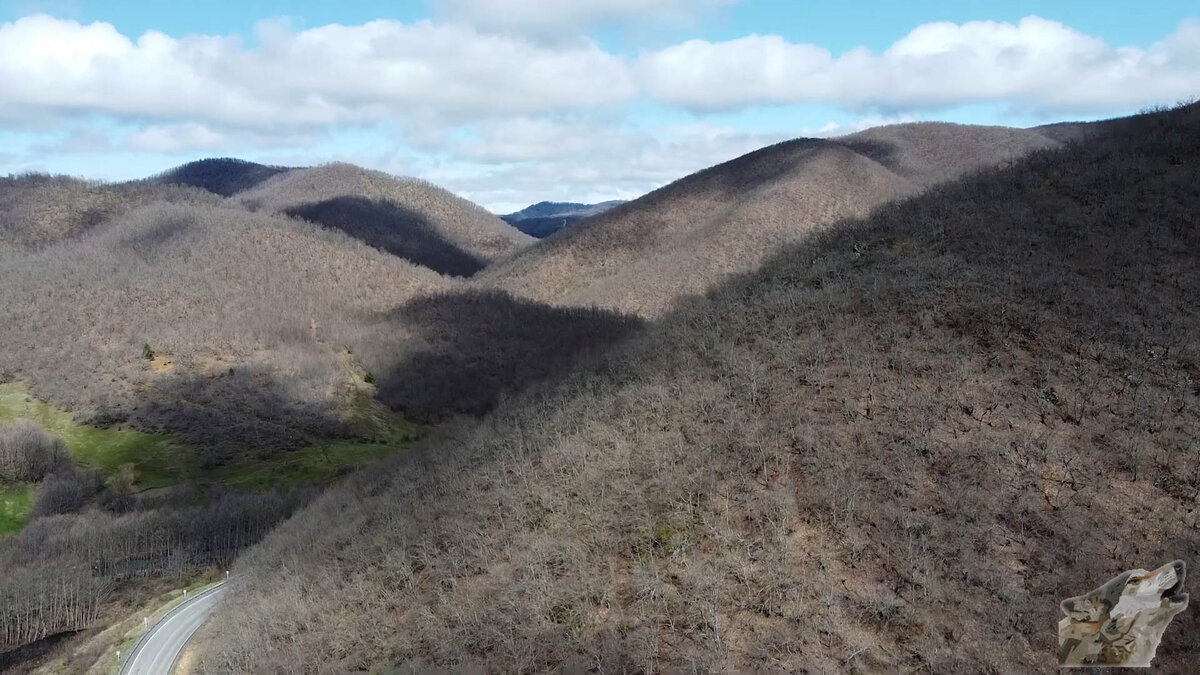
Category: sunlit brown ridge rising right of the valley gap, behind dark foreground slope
<point>683,238</point>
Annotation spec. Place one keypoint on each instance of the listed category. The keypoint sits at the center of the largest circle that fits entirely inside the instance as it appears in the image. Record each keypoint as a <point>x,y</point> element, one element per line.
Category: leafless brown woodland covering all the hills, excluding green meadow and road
<point>957,362</point>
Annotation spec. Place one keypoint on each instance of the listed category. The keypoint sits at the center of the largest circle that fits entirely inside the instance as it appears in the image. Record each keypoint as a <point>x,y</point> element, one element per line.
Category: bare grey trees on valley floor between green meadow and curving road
<point>89,535</point>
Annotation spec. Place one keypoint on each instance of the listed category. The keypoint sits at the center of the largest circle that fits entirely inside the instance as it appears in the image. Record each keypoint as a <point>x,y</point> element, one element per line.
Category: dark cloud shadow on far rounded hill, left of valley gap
<point>392,228</point>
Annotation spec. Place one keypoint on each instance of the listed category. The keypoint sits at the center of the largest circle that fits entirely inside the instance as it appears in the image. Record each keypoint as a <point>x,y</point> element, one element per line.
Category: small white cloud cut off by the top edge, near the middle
<point>549,17</point>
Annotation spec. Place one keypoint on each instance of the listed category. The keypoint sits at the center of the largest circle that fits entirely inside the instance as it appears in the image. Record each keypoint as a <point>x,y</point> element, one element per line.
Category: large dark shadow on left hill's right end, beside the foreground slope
<point>481,344</point>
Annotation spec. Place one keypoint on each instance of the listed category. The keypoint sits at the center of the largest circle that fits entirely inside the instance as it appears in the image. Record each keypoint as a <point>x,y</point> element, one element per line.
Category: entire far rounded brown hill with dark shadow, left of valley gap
<point>409,218</point>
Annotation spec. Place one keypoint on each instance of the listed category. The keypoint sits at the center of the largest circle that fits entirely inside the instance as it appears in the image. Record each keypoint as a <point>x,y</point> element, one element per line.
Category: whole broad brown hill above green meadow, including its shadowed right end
<point>265,327</point>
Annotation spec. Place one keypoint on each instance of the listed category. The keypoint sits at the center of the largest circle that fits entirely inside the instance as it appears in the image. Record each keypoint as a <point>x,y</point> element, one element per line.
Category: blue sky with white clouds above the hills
<point>511,103</point>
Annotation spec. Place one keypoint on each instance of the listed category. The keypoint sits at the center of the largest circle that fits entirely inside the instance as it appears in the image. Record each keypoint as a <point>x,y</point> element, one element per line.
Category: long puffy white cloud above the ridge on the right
<point>1035,64</point>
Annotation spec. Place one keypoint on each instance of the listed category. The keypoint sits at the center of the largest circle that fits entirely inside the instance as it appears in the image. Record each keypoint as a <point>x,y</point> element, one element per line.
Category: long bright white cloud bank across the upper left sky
<point>325,76</point>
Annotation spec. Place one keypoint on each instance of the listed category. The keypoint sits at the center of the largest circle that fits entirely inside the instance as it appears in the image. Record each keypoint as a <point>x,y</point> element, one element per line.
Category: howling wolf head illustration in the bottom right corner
<point>1121,623</point>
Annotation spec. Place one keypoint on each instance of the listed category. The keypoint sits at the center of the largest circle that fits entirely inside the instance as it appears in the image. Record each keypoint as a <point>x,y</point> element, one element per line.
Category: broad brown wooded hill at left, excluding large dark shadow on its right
<point>238,303</point>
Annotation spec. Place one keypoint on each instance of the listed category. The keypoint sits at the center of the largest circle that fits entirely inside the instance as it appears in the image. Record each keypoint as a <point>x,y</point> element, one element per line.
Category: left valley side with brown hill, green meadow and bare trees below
<point>178,377</point>
